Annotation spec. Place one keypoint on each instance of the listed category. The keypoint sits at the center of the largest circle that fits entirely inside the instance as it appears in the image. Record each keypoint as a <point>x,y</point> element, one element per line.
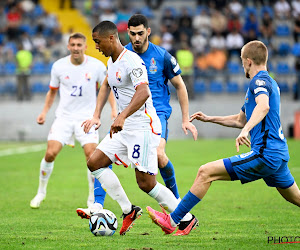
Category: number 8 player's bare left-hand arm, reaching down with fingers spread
<point>101,100</point>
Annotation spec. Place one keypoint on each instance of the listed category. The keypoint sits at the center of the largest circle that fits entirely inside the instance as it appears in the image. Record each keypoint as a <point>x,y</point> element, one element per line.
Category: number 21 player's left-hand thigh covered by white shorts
<point>62,131</point>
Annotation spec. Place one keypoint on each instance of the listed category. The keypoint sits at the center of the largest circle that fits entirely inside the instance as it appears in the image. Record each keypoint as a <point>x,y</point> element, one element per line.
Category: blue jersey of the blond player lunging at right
<point>267,138</point>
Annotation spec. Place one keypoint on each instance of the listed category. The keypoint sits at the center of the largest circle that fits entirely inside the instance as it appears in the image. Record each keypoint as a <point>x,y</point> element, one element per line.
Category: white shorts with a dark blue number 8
<point>138,148</point>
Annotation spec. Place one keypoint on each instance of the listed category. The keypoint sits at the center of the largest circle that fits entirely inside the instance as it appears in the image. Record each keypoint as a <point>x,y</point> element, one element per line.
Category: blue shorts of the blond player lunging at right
<point>251,166</point>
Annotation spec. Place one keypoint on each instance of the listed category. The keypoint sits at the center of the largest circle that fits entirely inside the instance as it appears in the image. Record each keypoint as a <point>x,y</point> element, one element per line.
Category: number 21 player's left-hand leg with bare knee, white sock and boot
<point>46,168</point>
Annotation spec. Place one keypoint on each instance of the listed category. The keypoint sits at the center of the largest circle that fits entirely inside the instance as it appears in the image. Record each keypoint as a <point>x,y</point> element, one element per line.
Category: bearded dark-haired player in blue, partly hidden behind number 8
<point>161,67</point>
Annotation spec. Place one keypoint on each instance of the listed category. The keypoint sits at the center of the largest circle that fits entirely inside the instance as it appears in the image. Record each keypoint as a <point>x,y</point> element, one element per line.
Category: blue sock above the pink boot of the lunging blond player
<point>187,203</point>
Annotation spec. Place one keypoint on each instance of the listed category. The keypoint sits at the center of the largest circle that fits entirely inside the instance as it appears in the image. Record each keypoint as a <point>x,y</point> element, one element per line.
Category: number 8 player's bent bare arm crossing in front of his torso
<point>139,98</point>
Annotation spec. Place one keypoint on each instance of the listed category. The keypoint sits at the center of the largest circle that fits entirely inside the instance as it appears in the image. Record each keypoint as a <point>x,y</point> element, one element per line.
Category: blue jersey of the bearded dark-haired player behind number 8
<point>161,66</point>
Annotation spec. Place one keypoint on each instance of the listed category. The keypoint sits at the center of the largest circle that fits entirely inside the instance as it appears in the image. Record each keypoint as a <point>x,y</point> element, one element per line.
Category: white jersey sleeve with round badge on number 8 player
<point>138,72</point>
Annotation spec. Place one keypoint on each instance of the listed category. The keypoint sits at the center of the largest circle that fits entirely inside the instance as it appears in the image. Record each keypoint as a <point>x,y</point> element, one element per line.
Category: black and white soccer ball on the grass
<point>103,223</point>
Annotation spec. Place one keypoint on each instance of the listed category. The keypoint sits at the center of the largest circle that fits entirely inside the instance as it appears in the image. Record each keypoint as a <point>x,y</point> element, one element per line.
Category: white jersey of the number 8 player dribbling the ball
<point>124,75</point>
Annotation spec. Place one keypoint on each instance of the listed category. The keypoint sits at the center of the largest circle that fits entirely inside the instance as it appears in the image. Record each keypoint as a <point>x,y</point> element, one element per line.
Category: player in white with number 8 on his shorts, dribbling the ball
<point>134,134</point>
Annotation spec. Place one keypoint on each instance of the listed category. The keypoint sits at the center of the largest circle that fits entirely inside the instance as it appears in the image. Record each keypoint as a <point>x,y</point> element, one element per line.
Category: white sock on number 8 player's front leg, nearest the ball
<point>111,184</point>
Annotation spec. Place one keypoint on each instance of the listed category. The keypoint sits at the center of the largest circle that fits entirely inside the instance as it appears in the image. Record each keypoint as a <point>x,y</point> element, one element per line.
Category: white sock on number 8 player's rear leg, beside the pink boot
<point>166,199</point>
